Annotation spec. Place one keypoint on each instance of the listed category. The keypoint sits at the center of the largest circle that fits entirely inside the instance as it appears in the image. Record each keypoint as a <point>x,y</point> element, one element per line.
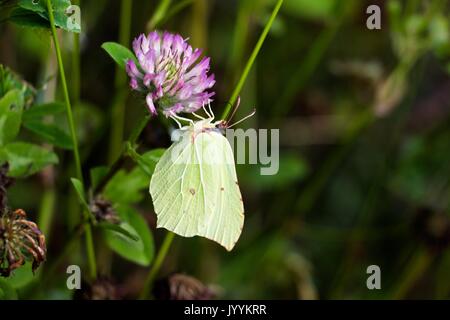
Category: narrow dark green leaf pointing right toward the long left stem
<point>51,133</point>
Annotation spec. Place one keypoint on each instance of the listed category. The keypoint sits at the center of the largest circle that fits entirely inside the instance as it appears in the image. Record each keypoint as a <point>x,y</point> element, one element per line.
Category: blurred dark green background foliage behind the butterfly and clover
<point>364,120</point>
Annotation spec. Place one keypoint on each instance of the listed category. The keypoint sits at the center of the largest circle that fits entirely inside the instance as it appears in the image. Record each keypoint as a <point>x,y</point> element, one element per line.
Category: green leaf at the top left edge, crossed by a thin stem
<point>34,13</point>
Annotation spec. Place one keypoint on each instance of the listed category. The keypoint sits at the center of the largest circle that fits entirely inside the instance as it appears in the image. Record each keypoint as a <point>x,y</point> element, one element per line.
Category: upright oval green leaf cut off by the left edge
<point>11,106</point>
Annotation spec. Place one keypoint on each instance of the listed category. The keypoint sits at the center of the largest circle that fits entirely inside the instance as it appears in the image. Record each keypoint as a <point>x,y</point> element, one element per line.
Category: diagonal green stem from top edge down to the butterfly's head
<point>251,60</point>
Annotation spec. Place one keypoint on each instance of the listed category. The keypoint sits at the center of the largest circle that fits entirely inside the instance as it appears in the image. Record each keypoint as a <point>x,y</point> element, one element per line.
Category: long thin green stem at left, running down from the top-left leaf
<point>89,241</point>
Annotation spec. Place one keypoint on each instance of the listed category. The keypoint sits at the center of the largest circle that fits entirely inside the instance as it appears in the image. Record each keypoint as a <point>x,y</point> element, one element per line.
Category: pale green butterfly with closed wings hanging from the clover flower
<point>194,186</point>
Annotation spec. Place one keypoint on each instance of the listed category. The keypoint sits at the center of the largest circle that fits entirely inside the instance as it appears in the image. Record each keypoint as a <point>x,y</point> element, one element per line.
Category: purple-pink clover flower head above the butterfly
<point>169,75</point>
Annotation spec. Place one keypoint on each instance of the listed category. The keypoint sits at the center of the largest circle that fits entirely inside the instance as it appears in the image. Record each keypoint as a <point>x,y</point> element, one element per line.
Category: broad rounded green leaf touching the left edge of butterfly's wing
<point>125,187</point>
